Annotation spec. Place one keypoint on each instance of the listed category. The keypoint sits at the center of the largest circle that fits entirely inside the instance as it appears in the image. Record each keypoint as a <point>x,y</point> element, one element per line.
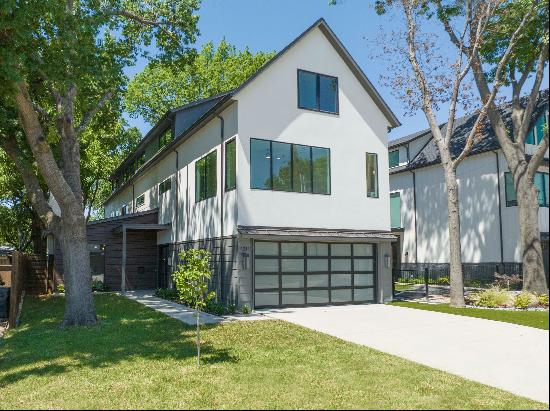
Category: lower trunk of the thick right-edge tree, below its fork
<point>534,278</point>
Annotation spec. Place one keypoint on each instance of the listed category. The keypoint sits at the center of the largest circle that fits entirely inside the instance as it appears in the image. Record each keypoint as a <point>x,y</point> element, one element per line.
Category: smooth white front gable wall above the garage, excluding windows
<point>268,110</point>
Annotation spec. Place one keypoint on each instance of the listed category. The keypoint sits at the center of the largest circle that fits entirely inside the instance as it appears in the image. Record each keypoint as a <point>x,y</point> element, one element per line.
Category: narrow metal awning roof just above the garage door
<point>315,232</point>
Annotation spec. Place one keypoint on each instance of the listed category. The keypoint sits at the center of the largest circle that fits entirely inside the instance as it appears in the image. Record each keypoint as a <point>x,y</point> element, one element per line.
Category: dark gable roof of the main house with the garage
<point>218,101</point>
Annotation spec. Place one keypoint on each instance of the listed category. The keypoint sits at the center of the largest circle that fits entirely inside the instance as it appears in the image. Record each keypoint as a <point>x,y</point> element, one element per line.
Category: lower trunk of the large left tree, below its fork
<point>79,307</point>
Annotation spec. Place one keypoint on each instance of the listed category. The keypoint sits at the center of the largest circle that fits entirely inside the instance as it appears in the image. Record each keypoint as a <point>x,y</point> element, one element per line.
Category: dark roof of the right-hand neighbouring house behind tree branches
<point>487,140</point>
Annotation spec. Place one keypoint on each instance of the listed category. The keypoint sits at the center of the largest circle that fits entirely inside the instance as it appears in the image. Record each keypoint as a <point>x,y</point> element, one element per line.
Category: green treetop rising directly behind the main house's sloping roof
<point>161,87</point>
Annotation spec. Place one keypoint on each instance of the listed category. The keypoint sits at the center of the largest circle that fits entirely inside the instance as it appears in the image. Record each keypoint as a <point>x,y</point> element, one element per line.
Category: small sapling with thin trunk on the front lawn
<point>191,280</point>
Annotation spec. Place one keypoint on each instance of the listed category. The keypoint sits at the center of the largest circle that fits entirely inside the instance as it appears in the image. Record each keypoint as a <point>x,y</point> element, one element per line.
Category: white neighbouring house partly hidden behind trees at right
<point>488,211</point>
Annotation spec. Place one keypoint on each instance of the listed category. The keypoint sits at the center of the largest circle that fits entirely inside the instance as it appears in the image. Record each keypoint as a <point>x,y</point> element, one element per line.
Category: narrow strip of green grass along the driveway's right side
<point>537,319</point>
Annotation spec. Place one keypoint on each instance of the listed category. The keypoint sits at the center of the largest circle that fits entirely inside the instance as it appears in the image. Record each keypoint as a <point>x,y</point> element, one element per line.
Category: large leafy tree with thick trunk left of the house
<point>61,64</point>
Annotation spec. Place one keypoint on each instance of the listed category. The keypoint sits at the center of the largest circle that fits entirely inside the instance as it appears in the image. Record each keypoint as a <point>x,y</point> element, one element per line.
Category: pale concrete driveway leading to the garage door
<point>507,356</point>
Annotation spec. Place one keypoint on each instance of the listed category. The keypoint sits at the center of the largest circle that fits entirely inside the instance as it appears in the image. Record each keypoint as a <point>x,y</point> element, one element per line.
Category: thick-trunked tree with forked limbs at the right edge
<point>522,26</point>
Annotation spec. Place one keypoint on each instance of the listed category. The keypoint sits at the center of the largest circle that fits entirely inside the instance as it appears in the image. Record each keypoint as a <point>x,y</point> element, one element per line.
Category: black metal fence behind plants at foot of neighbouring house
<point>435,277</point>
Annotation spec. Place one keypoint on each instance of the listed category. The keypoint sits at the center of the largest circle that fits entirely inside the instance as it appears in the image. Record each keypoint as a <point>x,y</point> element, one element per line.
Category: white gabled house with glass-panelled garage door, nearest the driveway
<point>285,179</point>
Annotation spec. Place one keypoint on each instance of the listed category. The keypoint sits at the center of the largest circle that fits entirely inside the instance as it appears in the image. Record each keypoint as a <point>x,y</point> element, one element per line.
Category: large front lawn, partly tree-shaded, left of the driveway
<point>138,358</point>
